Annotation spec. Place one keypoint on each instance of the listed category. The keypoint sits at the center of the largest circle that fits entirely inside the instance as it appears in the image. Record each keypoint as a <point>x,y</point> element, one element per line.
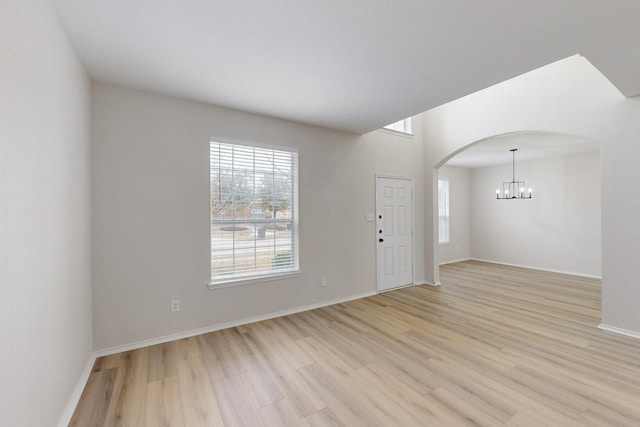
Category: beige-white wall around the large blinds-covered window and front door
<point>151,223</point>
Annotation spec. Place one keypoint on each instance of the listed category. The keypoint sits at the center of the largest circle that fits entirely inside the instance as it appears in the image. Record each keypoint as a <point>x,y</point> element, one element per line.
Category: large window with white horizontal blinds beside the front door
<point>253,210</point>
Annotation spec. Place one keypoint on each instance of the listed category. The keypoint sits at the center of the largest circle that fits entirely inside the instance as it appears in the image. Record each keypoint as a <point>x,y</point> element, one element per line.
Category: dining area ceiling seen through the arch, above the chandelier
<point>530,145</point>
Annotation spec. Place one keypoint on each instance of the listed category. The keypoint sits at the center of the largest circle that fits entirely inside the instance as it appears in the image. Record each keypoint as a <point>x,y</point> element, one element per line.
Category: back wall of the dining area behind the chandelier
<point>557,230</point>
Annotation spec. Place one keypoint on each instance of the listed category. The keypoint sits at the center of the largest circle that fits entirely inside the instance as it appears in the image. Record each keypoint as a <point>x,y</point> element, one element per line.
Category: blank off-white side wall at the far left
<point>45,251</point>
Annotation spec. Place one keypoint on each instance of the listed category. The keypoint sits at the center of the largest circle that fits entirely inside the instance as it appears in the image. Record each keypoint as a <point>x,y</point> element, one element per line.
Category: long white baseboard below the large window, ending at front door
<point>226,325</point>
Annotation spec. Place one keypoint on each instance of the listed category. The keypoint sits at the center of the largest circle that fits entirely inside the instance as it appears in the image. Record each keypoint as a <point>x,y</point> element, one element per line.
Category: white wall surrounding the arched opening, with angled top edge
<point>569,97</point>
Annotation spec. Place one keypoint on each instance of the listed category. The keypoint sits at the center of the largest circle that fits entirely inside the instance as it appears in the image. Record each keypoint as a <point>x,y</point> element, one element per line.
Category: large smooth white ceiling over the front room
<point>353,65</point>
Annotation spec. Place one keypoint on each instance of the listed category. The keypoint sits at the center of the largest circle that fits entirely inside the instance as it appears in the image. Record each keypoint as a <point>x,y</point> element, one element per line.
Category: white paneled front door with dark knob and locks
<point>394,232</point>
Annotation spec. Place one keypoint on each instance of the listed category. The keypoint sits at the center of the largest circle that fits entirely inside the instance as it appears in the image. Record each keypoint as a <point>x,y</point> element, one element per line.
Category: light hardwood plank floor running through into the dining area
<point>492,346</point>
